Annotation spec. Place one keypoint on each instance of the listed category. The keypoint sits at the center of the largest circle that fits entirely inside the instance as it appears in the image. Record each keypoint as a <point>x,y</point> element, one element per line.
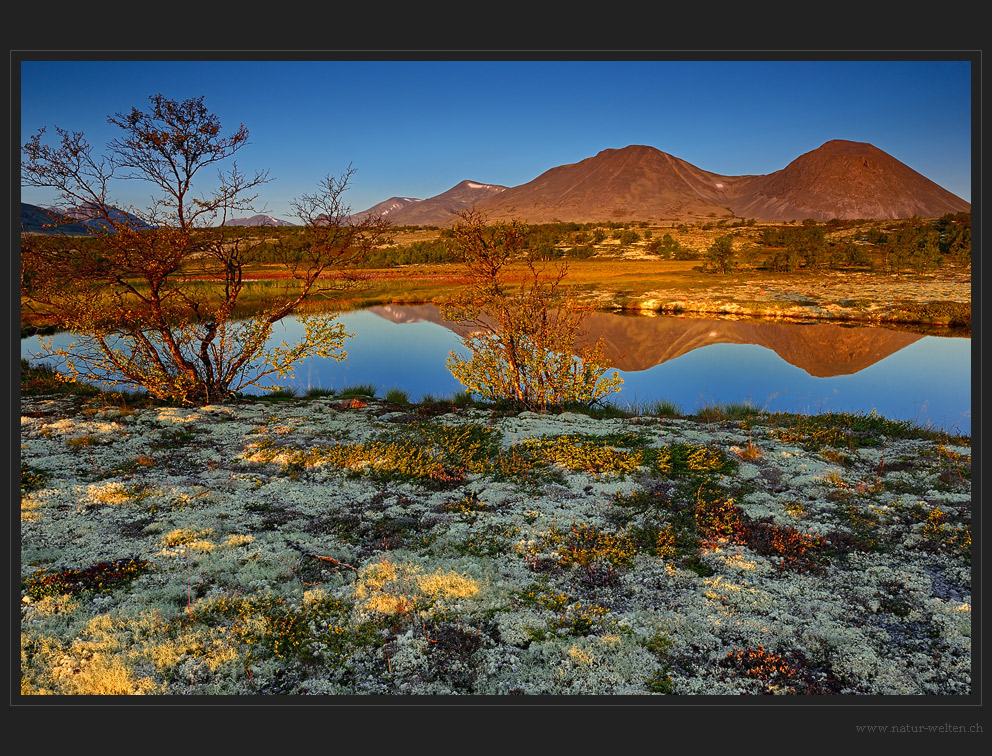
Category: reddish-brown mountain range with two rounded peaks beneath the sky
<point>839,179</point>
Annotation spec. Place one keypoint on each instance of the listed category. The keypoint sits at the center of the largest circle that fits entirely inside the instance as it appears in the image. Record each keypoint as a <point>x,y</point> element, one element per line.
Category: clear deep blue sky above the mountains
<point>415,128</point>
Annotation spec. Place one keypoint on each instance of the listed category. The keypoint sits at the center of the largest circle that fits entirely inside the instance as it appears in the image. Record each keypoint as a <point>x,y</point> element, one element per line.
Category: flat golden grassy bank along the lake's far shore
<point>938,299</point>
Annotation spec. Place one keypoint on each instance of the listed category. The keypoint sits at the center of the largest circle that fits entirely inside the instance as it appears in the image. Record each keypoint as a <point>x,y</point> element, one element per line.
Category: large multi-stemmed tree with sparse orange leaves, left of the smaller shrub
<point>152,295</point>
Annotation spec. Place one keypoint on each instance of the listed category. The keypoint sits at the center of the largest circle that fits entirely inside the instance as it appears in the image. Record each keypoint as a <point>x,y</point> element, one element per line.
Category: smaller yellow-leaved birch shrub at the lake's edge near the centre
<point>525,342</point>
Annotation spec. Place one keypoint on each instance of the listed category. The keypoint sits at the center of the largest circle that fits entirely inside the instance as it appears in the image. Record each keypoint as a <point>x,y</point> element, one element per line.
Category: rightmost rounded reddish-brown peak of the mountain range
<point>843,179</point>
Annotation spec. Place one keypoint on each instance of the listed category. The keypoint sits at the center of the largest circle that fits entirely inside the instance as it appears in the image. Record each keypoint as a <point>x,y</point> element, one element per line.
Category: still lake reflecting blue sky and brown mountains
<point>691,362</point>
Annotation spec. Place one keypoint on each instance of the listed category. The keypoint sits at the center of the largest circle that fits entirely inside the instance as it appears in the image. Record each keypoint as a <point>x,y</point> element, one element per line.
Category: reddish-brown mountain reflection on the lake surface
<point>635,343</point>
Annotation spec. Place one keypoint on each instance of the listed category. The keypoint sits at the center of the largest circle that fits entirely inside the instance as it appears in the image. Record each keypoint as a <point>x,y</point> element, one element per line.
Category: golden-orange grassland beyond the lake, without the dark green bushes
<point>625,277</point>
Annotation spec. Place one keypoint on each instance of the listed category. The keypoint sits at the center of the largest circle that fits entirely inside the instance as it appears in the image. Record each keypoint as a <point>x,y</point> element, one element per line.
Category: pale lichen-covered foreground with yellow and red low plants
<point>343,546</point>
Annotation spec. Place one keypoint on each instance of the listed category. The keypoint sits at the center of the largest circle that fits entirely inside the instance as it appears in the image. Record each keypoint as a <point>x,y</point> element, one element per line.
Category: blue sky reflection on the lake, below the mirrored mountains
<point>927,381</point>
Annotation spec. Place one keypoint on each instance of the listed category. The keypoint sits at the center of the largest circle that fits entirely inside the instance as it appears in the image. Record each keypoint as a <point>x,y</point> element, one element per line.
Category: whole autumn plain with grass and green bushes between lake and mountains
<point>860,270</point>
